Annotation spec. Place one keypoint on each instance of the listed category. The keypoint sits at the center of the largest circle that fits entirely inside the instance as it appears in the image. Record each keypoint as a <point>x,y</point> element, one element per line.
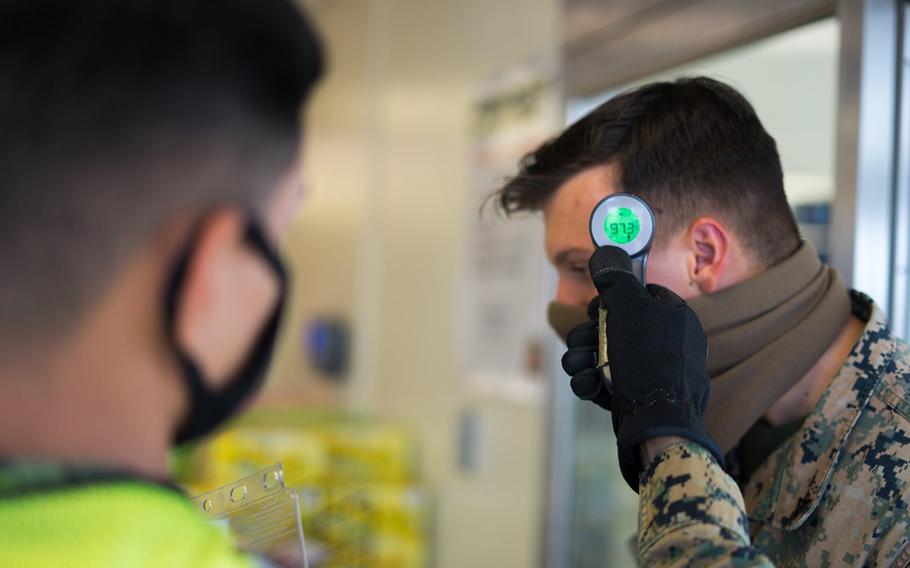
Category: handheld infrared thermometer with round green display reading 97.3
<point>626,222</point>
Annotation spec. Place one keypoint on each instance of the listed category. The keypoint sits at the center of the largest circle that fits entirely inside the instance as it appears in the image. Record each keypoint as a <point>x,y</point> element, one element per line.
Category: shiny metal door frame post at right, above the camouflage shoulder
<point>863,228</point>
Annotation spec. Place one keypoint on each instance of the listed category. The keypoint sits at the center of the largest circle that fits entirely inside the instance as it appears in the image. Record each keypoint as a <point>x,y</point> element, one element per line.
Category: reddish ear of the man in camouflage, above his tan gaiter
<point>709,243</point>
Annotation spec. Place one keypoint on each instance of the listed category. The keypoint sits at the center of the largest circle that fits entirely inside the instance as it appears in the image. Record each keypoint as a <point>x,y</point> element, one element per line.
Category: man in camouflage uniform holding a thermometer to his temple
<point>819,475</point>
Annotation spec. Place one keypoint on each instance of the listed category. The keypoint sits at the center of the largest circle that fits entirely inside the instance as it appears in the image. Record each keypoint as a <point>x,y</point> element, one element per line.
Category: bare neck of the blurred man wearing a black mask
<point>109,396</point>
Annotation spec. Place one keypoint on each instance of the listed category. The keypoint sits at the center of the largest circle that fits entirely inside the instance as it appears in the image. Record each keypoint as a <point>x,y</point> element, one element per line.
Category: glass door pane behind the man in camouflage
<point>792,80</point>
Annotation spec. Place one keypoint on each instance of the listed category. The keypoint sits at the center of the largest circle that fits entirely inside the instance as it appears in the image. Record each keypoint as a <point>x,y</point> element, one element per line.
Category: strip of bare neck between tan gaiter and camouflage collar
<point>802,397</point>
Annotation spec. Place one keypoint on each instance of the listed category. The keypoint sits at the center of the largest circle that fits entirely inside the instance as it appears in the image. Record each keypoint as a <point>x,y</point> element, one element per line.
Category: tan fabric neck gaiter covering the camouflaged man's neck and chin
<point>764,335</point>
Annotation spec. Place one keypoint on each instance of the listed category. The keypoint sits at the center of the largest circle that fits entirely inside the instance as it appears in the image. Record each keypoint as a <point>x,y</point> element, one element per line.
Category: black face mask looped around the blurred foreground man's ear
<point>209,408</point>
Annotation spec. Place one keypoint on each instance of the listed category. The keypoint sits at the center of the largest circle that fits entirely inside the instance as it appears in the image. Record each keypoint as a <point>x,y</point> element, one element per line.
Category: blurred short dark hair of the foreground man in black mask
<point>118,117</point>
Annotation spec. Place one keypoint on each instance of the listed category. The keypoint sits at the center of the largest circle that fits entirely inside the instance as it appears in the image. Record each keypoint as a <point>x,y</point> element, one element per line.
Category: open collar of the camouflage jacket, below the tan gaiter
<point>805,464</point>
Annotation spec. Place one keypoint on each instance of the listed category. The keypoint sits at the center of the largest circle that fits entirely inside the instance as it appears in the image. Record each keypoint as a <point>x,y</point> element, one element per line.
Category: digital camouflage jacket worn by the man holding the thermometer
<point>834,494</point>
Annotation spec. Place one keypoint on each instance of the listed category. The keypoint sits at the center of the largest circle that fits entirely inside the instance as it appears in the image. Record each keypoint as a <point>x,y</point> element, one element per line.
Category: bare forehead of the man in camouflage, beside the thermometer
<point>567,212</point>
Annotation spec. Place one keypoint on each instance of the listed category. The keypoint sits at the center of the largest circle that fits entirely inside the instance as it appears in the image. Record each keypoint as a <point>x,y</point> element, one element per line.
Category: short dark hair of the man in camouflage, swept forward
<point>689,147</point>
